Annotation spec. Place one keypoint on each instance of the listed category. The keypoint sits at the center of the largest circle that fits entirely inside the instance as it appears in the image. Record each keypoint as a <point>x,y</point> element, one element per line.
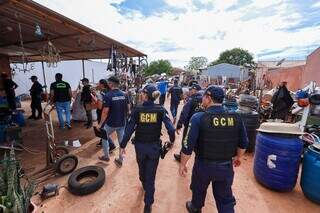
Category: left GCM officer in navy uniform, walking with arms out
<point>146,120</point>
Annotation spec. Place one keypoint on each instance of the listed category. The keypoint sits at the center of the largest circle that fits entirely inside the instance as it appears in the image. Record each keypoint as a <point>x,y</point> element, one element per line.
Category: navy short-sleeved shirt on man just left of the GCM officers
<point>117,102</point>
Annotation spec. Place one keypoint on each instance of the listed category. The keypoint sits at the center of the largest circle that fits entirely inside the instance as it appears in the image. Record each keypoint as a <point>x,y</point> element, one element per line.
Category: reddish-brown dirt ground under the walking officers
<point>122,191</point>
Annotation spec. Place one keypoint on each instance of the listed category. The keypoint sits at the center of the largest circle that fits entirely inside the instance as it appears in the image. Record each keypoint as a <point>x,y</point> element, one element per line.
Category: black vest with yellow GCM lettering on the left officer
<point>149,123</point>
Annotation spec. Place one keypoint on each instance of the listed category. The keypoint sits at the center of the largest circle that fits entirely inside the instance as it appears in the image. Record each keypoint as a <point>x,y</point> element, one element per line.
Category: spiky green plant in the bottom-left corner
<point>14,197</point>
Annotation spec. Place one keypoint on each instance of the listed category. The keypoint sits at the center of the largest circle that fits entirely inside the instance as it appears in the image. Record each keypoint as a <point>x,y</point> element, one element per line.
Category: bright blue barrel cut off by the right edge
<point>310,177</point>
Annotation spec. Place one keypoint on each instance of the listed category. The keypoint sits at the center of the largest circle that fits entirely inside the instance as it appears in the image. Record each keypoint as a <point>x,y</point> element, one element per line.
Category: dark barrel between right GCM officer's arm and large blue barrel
<point>251,122</point>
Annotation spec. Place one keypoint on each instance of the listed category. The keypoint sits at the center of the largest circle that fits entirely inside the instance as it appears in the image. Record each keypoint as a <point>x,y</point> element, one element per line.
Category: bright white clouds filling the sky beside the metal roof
<point>184,30</point>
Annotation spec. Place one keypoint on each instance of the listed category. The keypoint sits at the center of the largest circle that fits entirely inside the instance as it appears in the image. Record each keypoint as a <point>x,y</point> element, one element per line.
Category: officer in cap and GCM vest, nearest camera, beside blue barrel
<point>217,137</point>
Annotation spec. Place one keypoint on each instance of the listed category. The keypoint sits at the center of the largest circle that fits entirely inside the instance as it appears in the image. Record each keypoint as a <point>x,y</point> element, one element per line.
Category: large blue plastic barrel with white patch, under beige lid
<point>276,160</point>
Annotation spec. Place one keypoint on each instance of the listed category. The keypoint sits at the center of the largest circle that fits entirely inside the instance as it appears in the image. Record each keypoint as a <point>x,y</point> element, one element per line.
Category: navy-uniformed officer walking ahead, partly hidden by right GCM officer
<point>192,106</point>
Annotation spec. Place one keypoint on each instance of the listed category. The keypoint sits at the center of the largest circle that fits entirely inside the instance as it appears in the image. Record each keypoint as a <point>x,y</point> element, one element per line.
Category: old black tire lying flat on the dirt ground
<point>86,180</point>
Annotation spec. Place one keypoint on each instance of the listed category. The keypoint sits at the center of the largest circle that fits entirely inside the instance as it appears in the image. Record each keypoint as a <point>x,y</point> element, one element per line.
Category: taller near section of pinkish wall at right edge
<point>312,70</point>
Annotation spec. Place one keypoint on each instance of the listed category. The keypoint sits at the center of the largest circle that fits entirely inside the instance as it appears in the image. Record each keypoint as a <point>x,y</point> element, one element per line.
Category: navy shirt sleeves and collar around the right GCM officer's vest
<point>191,139</point>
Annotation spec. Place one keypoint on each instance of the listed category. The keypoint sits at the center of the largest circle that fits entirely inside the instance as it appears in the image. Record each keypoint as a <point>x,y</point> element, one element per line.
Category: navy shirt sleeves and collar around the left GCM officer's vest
<point>131,126</point>
